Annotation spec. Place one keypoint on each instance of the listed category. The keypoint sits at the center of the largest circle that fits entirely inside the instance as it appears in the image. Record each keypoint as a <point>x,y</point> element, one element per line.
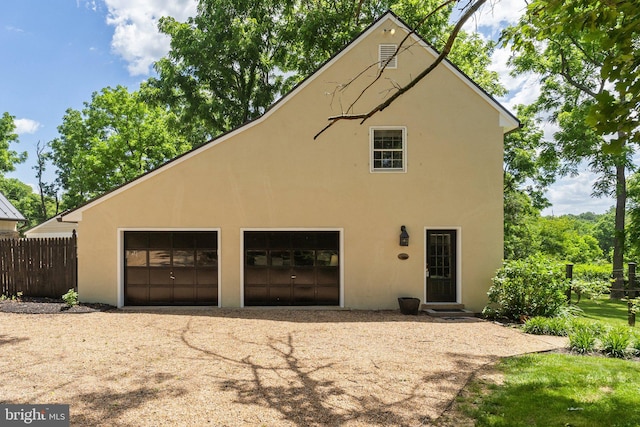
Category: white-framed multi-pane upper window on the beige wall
<point>388,149</point>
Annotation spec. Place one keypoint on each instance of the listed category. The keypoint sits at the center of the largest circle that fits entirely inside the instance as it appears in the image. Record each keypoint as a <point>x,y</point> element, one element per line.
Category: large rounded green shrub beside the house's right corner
<point>535,286</point>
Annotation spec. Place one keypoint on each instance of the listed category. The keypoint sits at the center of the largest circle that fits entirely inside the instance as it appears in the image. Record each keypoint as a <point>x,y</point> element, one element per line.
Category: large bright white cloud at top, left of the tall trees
<point>136,37</point>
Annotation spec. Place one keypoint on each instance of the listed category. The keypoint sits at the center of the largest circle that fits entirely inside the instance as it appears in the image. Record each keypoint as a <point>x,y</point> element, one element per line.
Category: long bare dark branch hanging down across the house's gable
<point>472,8</point>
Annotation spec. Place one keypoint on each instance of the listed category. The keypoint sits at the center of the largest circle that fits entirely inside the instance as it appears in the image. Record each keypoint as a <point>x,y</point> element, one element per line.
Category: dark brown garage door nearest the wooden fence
<point>171,268</point>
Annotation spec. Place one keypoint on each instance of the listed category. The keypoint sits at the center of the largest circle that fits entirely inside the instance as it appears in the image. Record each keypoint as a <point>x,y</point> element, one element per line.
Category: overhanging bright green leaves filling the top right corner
<point>592,47</point>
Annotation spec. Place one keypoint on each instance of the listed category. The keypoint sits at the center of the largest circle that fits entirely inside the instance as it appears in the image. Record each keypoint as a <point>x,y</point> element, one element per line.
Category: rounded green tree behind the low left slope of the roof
<point>113,140</point>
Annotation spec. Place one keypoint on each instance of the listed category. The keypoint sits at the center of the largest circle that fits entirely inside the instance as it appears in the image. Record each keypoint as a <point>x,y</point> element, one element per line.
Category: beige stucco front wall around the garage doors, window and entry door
<point>273,174</point>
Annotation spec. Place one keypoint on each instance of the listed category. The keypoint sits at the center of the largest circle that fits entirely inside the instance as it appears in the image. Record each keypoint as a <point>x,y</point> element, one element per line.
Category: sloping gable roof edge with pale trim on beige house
<point>506,119</point>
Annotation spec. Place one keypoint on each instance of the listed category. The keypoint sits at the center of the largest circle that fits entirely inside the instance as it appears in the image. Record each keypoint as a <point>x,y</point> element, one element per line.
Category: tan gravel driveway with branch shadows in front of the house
<point>226,367</point>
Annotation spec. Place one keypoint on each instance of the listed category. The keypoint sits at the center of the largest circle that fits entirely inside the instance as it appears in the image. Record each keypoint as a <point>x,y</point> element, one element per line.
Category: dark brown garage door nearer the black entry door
<point>291,268</point>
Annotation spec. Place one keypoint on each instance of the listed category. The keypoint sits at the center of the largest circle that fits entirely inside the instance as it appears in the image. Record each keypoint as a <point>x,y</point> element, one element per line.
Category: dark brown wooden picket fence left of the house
<point>44,267</point>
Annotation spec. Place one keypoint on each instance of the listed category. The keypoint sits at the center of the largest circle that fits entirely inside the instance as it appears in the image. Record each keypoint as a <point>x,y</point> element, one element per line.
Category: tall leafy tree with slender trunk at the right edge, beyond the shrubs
<point>587,55</point>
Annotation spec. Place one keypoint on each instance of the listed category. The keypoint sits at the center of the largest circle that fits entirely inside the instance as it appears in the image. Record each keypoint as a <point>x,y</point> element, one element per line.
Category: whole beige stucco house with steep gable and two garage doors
<point>265,215</point>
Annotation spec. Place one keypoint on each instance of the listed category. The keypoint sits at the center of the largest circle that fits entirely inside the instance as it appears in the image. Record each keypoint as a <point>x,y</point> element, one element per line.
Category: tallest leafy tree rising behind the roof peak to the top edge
<point>230,62</point>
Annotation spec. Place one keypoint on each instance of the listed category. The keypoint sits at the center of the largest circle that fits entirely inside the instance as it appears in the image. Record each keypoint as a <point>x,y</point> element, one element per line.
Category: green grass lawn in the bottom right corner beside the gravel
<point>558,390</point>
